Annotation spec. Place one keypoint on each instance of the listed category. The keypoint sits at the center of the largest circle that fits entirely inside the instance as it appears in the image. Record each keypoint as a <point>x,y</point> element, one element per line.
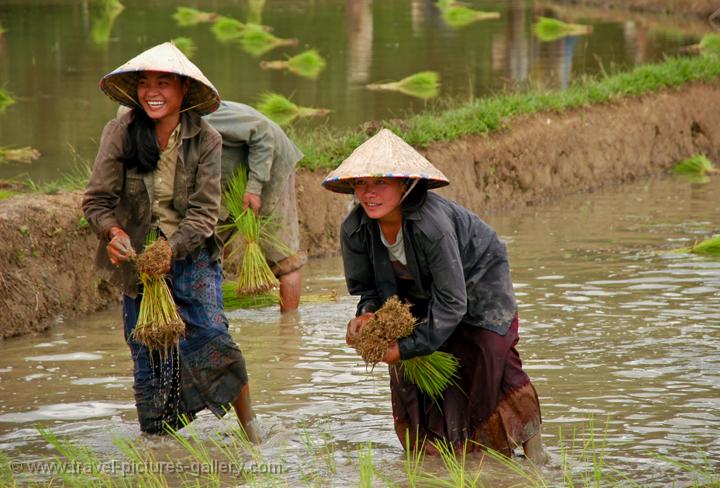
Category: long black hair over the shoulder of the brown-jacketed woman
<point>141,149</point>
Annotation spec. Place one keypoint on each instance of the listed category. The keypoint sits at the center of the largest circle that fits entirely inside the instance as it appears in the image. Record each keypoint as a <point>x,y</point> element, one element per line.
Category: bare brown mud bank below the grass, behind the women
<point>47,250</point>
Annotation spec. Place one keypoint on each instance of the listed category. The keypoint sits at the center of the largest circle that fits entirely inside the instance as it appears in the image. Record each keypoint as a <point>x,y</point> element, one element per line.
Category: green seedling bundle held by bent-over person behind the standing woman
<point>254,276</point>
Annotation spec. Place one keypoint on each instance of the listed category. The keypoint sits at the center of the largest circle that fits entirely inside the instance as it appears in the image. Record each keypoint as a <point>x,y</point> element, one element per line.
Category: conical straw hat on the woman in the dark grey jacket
<point>383,155</point>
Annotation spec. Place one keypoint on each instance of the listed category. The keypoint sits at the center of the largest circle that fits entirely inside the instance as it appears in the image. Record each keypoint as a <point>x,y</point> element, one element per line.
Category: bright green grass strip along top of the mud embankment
<point>326,148</point>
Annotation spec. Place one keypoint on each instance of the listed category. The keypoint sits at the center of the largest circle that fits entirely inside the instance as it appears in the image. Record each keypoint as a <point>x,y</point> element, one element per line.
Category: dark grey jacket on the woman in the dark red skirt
<point>458,262</point>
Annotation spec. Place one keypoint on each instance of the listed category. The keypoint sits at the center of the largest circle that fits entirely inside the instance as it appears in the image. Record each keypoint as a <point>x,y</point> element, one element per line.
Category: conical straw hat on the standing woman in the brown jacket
<point>121,84</point>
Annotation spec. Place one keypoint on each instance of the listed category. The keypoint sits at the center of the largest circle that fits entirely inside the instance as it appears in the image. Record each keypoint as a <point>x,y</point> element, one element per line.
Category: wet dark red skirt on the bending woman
<point>493,402</point>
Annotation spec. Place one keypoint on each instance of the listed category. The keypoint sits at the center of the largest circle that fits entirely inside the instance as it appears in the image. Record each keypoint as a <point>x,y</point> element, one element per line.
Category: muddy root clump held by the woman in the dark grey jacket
<point>392,321</point>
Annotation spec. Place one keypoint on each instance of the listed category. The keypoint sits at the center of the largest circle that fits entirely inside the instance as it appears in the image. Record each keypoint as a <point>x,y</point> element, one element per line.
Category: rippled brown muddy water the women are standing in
<point>613,328</point>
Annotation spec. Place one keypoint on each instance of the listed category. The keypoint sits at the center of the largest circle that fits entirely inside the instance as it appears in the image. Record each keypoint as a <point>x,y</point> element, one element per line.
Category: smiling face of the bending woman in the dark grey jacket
<point>380,197</point>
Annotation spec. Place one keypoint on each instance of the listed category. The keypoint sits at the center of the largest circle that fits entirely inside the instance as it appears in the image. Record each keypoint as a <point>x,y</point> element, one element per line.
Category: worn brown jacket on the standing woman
<point>119,197</point>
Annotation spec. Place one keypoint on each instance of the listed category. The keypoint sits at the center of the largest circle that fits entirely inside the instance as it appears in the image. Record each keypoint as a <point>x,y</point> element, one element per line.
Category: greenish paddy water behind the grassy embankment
<point>55,51</point>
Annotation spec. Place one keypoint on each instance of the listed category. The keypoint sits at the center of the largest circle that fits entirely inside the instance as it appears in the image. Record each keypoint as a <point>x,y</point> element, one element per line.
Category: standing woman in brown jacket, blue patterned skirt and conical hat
<point>158,168</point>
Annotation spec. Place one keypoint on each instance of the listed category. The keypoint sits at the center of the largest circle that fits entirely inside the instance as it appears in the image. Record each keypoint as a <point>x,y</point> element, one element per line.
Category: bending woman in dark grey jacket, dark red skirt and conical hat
<point>453,269</point>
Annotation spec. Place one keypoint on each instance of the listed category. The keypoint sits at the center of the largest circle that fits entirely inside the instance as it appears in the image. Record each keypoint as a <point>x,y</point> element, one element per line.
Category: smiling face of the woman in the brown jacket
<point>161,94</point>
